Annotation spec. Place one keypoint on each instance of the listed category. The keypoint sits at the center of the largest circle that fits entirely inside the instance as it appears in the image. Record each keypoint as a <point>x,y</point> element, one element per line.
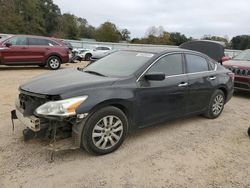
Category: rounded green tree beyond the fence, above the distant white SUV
<point>108,32</point>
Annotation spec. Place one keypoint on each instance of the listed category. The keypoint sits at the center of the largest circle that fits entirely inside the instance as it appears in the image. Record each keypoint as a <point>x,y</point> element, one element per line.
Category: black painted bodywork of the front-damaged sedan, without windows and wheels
<point>144,102</point>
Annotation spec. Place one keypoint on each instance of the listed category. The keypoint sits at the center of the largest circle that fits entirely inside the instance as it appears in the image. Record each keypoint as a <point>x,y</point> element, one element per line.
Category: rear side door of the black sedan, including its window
<point>201,82</point>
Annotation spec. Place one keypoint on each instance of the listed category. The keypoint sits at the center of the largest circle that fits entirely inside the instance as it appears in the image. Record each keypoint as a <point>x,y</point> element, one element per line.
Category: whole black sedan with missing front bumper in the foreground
<point>124,91</point>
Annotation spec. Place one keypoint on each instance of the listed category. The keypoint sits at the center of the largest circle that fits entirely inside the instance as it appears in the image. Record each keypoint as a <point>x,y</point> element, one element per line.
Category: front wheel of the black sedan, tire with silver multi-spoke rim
<point>89,142</point>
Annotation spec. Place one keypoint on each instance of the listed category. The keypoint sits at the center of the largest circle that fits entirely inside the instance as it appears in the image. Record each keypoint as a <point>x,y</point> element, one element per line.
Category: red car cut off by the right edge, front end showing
<point>240,66</point>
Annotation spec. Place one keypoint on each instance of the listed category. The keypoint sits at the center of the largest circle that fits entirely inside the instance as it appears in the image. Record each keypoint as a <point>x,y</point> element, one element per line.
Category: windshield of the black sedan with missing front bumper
<point>120,64</point>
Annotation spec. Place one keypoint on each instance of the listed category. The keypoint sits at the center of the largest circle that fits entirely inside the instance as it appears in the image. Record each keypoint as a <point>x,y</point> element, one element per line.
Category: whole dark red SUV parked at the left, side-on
<point>33,50</point>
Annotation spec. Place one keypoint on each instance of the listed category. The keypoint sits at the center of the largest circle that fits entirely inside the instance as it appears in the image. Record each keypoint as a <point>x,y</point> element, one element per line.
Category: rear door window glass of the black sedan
<point>196,63</point>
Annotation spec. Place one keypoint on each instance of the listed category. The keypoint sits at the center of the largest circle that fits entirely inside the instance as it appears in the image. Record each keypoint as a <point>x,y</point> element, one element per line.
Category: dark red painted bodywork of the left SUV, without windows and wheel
<point>32,54</point>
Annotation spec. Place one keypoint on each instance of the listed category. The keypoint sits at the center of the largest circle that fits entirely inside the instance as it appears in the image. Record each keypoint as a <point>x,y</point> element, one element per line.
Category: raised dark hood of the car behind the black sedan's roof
<point>213,49</point>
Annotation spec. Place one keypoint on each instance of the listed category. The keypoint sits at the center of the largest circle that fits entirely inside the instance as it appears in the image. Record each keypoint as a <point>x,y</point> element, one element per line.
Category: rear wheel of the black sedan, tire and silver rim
<point>212,111</point>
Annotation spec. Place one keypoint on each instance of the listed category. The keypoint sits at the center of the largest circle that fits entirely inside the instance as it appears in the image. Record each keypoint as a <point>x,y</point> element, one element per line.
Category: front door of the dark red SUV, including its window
<point>18,52</point>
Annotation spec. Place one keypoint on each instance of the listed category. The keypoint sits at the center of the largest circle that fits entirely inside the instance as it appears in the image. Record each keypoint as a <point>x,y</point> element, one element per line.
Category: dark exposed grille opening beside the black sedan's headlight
<point>29,103</point>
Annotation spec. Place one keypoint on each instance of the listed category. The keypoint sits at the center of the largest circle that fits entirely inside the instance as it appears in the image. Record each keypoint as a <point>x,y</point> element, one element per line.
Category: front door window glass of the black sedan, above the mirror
<point>170,65</point>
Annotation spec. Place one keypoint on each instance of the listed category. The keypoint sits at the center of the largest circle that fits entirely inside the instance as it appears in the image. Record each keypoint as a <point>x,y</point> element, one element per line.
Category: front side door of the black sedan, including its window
<point>161,100</point>
